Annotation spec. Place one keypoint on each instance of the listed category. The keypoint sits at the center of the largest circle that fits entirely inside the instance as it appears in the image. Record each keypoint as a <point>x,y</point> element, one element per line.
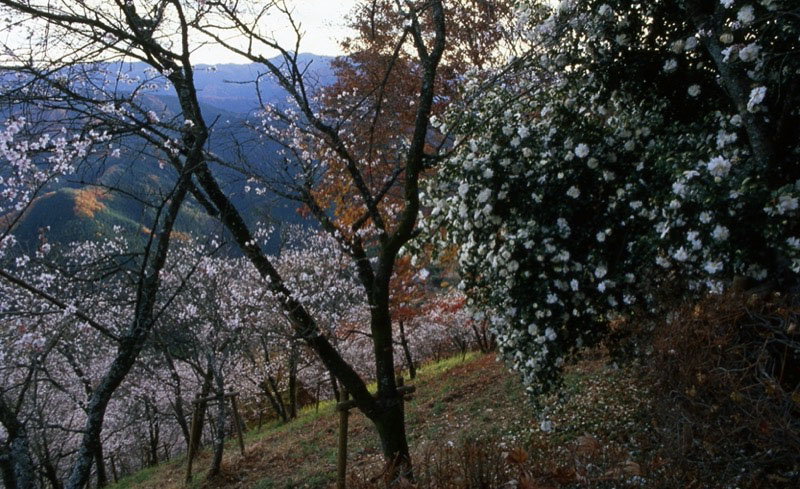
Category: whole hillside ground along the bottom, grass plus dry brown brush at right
<point>470,426</point>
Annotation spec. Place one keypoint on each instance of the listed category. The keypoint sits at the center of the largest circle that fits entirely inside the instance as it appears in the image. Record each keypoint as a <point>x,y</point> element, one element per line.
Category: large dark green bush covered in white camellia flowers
<point>635,145</point>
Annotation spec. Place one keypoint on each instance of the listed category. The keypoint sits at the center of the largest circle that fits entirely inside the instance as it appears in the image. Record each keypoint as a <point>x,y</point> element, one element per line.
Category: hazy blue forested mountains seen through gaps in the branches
<point>82,208</point>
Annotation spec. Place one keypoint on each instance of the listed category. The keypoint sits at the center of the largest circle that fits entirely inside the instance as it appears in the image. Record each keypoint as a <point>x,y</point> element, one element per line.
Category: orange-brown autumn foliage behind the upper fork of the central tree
<point>377,86</point>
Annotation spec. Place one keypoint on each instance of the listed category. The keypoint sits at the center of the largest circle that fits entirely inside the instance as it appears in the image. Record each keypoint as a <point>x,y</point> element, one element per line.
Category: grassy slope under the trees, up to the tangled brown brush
<point>457,402</point>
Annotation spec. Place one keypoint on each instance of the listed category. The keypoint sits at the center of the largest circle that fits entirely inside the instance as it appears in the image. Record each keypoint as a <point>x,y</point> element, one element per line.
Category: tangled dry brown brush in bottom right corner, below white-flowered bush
<point>727,375</point>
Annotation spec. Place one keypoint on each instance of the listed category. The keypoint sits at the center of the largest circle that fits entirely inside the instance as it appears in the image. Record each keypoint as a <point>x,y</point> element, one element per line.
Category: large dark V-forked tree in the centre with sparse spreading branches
<point>161,34</point>
